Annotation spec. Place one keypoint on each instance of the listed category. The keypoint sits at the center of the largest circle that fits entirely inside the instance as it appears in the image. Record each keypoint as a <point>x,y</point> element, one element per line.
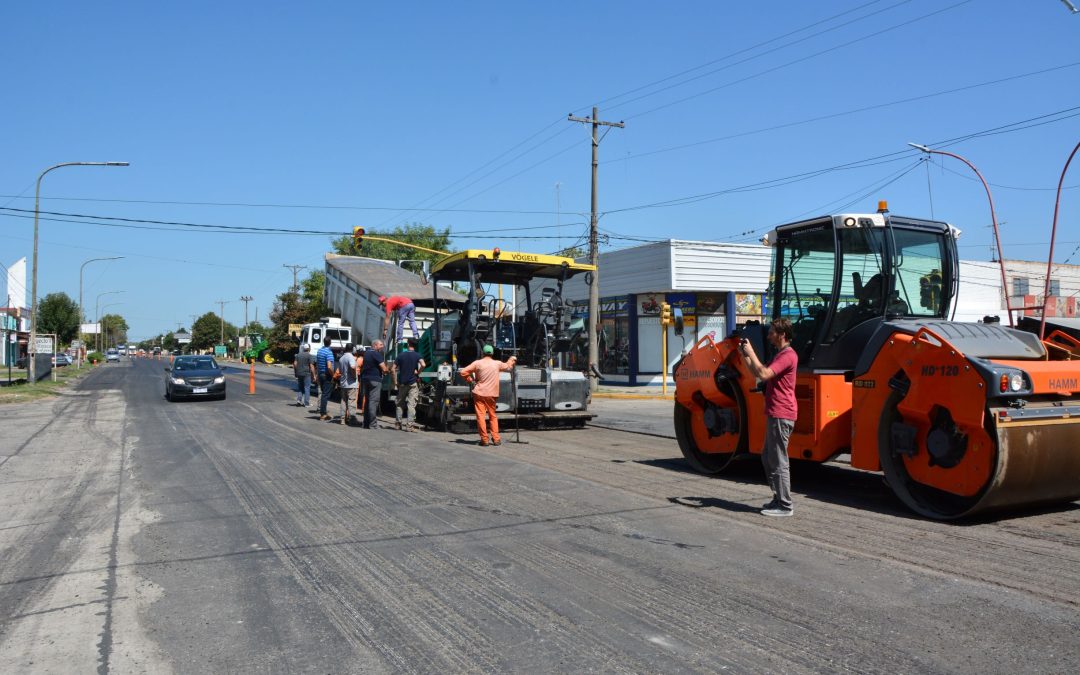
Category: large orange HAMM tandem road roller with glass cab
<point>961,417</point>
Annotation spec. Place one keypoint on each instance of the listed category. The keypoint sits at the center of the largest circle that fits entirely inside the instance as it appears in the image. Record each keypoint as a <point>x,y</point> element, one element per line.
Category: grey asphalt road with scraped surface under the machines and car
<point>246,536</point>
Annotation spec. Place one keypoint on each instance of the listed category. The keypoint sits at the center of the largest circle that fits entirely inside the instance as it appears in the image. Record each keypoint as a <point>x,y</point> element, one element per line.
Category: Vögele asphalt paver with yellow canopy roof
<point>529,320</point>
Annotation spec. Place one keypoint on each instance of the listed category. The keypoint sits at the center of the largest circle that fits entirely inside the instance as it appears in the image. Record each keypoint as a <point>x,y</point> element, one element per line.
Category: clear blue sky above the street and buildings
<point>326,116</point>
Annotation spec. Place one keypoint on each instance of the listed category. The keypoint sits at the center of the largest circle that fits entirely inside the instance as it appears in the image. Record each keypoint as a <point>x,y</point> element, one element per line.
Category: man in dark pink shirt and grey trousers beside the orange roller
<point>781,412</point>
